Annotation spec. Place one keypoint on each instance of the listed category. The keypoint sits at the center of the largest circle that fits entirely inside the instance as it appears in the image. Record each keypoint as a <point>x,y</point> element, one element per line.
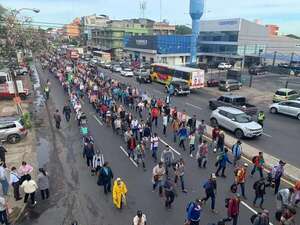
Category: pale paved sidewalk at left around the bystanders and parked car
<point>16,153</point>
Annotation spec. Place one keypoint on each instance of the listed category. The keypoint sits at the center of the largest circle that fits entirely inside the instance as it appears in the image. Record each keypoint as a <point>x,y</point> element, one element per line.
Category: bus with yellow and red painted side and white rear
<point>164,73</point>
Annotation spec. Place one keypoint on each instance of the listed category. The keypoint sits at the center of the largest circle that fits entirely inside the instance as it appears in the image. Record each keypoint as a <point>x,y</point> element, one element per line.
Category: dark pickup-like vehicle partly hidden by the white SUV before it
<point>234,101</point>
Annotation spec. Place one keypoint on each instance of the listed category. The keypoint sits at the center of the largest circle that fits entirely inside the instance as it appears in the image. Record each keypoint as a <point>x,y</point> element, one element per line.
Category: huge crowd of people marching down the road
<point>135,117</point>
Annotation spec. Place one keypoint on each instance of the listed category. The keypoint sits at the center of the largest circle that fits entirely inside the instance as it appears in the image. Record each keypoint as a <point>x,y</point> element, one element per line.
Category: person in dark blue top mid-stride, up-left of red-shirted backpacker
<point>210,187</point>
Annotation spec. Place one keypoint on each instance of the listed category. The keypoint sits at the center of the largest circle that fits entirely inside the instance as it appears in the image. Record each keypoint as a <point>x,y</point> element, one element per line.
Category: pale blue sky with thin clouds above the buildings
<point>284,13</point>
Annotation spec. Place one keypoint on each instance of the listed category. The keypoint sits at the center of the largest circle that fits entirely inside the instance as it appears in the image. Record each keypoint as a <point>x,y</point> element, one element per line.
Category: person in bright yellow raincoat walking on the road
<point>119,193</point>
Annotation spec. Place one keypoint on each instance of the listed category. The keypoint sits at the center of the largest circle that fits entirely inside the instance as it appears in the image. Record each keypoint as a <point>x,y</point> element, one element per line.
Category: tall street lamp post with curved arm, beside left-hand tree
<point>11,43</point>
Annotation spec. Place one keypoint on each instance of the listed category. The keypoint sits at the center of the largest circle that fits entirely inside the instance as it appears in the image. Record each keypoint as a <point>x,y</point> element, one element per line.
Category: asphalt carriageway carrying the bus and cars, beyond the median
<point>281,133</point>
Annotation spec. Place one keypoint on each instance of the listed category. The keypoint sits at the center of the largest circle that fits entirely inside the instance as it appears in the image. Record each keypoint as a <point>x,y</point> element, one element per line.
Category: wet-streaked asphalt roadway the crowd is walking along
<point>75,195</point>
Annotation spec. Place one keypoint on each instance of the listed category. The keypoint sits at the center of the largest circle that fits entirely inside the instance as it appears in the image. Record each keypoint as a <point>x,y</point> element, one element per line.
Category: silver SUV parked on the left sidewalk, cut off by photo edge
<point>12,129</point>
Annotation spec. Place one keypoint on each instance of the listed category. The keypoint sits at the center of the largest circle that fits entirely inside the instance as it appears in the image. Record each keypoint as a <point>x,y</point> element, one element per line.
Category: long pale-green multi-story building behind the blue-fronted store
<point>110,38</point>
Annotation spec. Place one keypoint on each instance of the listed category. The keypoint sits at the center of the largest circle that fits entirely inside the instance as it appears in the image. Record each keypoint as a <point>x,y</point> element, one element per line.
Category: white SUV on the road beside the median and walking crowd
<point>236,121</point>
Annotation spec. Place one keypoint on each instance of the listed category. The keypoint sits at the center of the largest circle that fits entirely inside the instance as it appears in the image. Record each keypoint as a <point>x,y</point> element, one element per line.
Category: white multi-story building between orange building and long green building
<point>88,23</point>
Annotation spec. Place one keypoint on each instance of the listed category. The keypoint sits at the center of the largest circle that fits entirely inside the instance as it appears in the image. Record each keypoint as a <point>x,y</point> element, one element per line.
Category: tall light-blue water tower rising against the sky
<point>196,12</point>
